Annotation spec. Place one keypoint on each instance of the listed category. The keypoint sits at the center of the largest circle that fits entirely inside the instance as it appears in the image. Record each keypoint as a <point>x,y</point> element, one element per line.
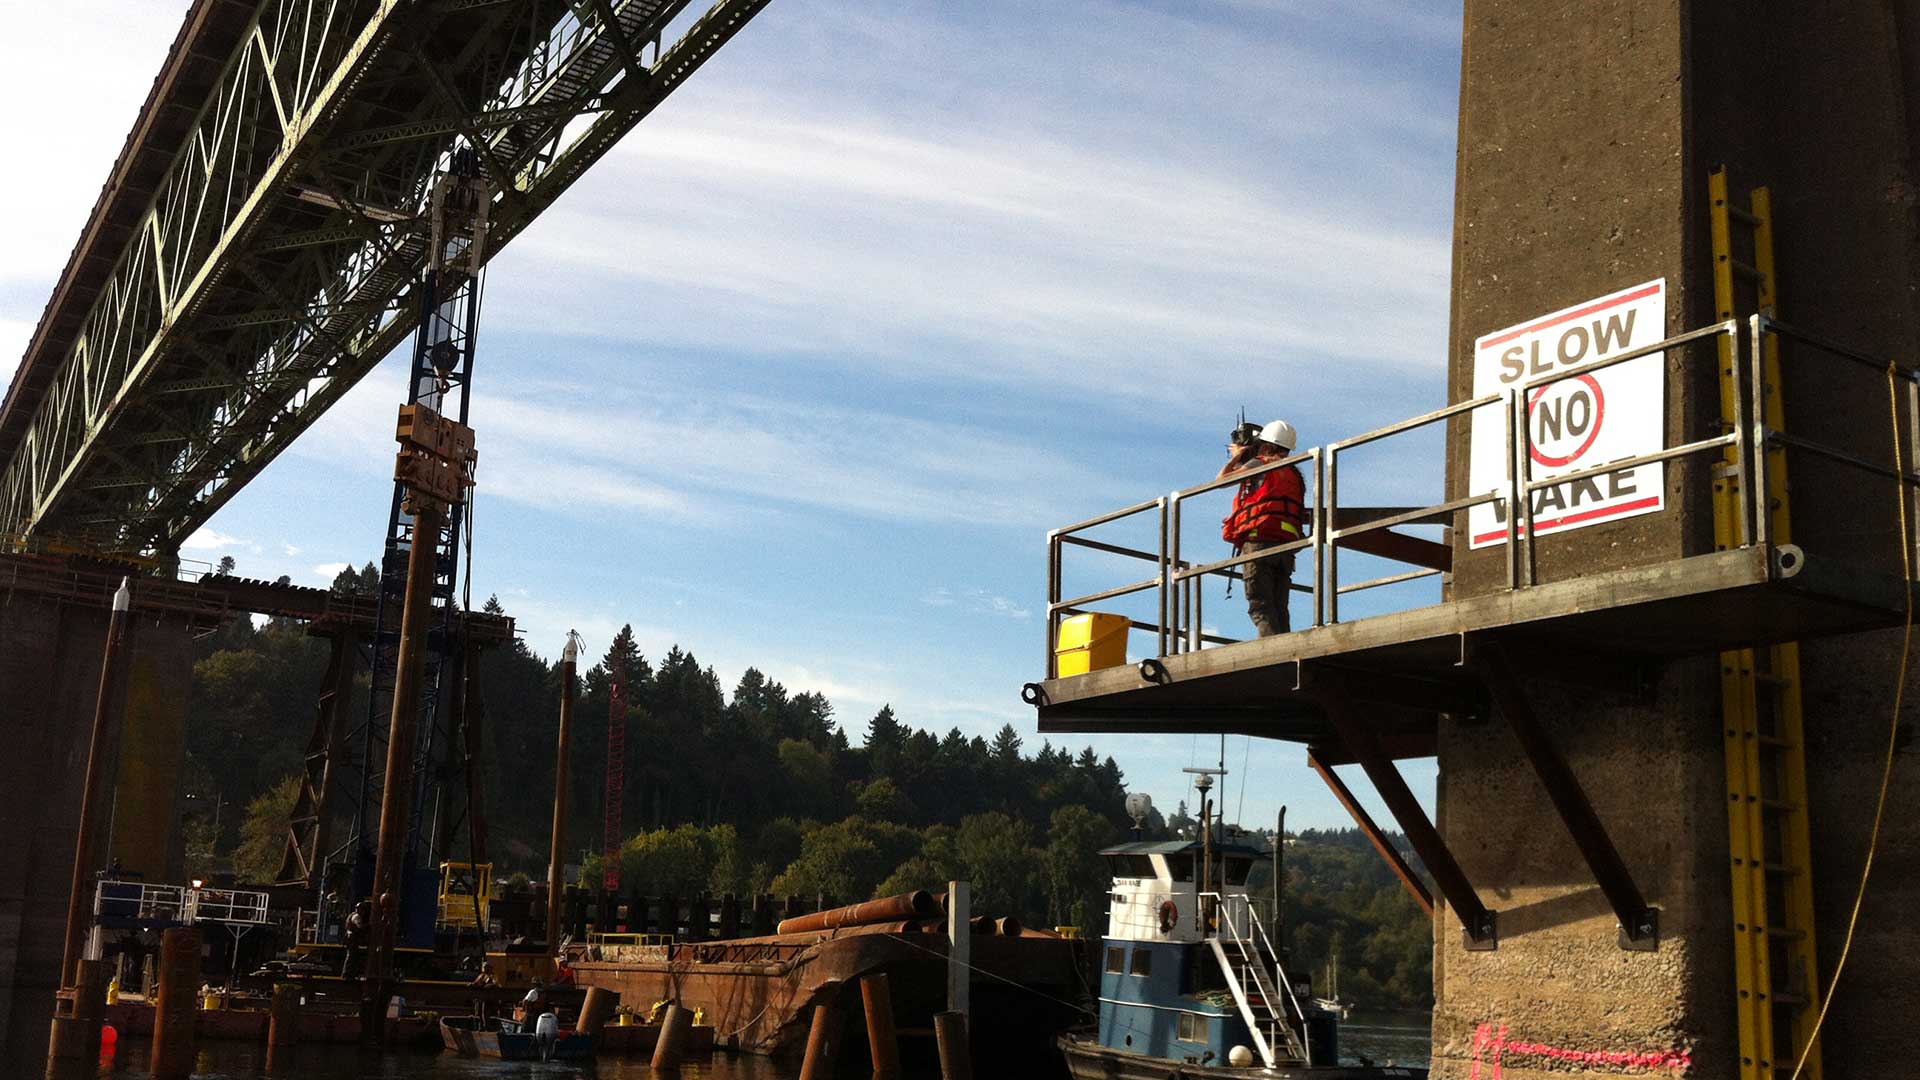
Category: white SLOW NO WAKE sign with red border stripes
<point>1575,424</point>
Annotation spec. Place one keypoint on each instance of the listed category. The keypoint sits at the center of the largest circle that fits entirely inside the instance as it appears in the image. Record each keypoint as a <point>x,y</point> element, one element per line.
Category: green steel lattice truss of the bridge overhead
<point>254,255</point>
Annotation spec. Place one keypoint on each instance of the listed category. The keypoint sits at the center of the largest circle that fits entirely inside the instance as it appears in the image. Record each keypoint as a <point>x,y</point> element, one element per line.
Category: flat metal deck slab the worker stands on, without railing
<point>1408,668</point>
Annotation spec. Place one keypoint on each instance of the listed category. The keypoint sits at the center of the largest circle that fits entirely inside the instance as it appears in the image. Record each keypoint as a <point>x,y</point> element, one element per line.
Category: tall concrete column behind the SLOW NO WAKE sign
<point>1585,143</point>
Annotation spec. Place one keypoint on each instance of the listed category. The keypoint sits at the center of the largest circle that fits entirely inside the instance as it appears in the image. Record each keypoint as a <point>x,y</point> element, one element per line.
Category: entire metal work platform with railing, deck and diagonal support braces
<point>1374,689</point>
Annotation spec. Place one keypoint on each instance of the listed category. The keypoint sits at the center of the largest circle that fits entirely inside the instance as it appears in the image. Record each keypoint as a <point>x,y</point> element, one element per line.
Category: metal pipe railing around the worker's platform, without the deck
<point>1178,626</point>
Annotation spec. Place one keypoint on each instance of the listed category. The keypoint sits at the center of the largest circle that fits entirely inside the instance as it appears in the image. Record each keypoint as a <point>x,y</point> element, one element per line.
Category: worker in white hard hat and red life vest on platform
<point>1268,510</point>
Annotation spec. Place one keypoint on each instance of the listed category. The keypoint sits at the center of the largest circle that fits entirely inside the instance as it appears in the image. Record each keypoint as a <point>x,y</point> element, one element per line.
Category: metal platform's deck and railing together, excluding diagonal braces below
<point>1408,668</point>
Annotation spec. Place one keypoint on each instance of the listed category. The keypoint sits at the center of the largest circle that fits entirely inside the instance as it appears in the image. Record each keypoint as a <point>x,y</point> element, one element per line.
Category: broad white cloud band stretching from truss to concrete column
<point>976,257</point>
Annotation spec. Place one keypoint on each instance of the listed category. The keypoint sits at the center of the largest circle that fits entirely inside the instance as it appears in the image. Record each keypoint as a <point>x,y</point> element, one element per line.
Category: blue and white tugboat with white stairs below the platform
<point>1191,983</point>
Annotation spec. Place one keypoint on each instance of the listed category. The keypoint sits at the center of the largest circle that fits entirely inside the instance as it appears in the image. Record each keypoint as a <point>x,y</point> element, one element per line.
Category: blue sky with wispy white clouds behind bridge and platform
<point>805,370</point>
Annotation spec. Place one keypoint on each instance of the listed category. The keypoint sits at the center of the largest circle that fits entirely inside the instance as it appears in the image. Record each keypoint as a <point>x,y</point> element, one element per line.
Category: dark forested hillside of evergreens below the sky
<point>754,789</point>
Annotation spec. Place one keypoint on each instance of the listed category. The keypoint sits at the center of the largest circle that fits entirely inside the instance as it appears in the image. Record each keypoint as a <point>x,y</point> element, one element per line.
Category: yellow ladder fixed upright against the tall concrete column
<point>1779,991</point>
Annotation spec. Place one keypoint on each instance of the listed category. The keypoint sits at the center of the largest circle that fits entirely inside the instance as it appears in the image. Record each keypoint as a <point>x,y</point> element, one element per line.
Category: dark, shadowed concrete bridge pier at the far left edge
<point>51,650</point>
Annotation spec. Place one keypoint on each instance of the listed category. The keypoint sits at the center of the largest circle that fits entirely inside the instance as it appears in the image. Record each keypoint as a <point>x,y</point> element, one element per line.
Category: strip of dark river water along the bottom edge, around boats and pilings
<point>1399,1039</point>
